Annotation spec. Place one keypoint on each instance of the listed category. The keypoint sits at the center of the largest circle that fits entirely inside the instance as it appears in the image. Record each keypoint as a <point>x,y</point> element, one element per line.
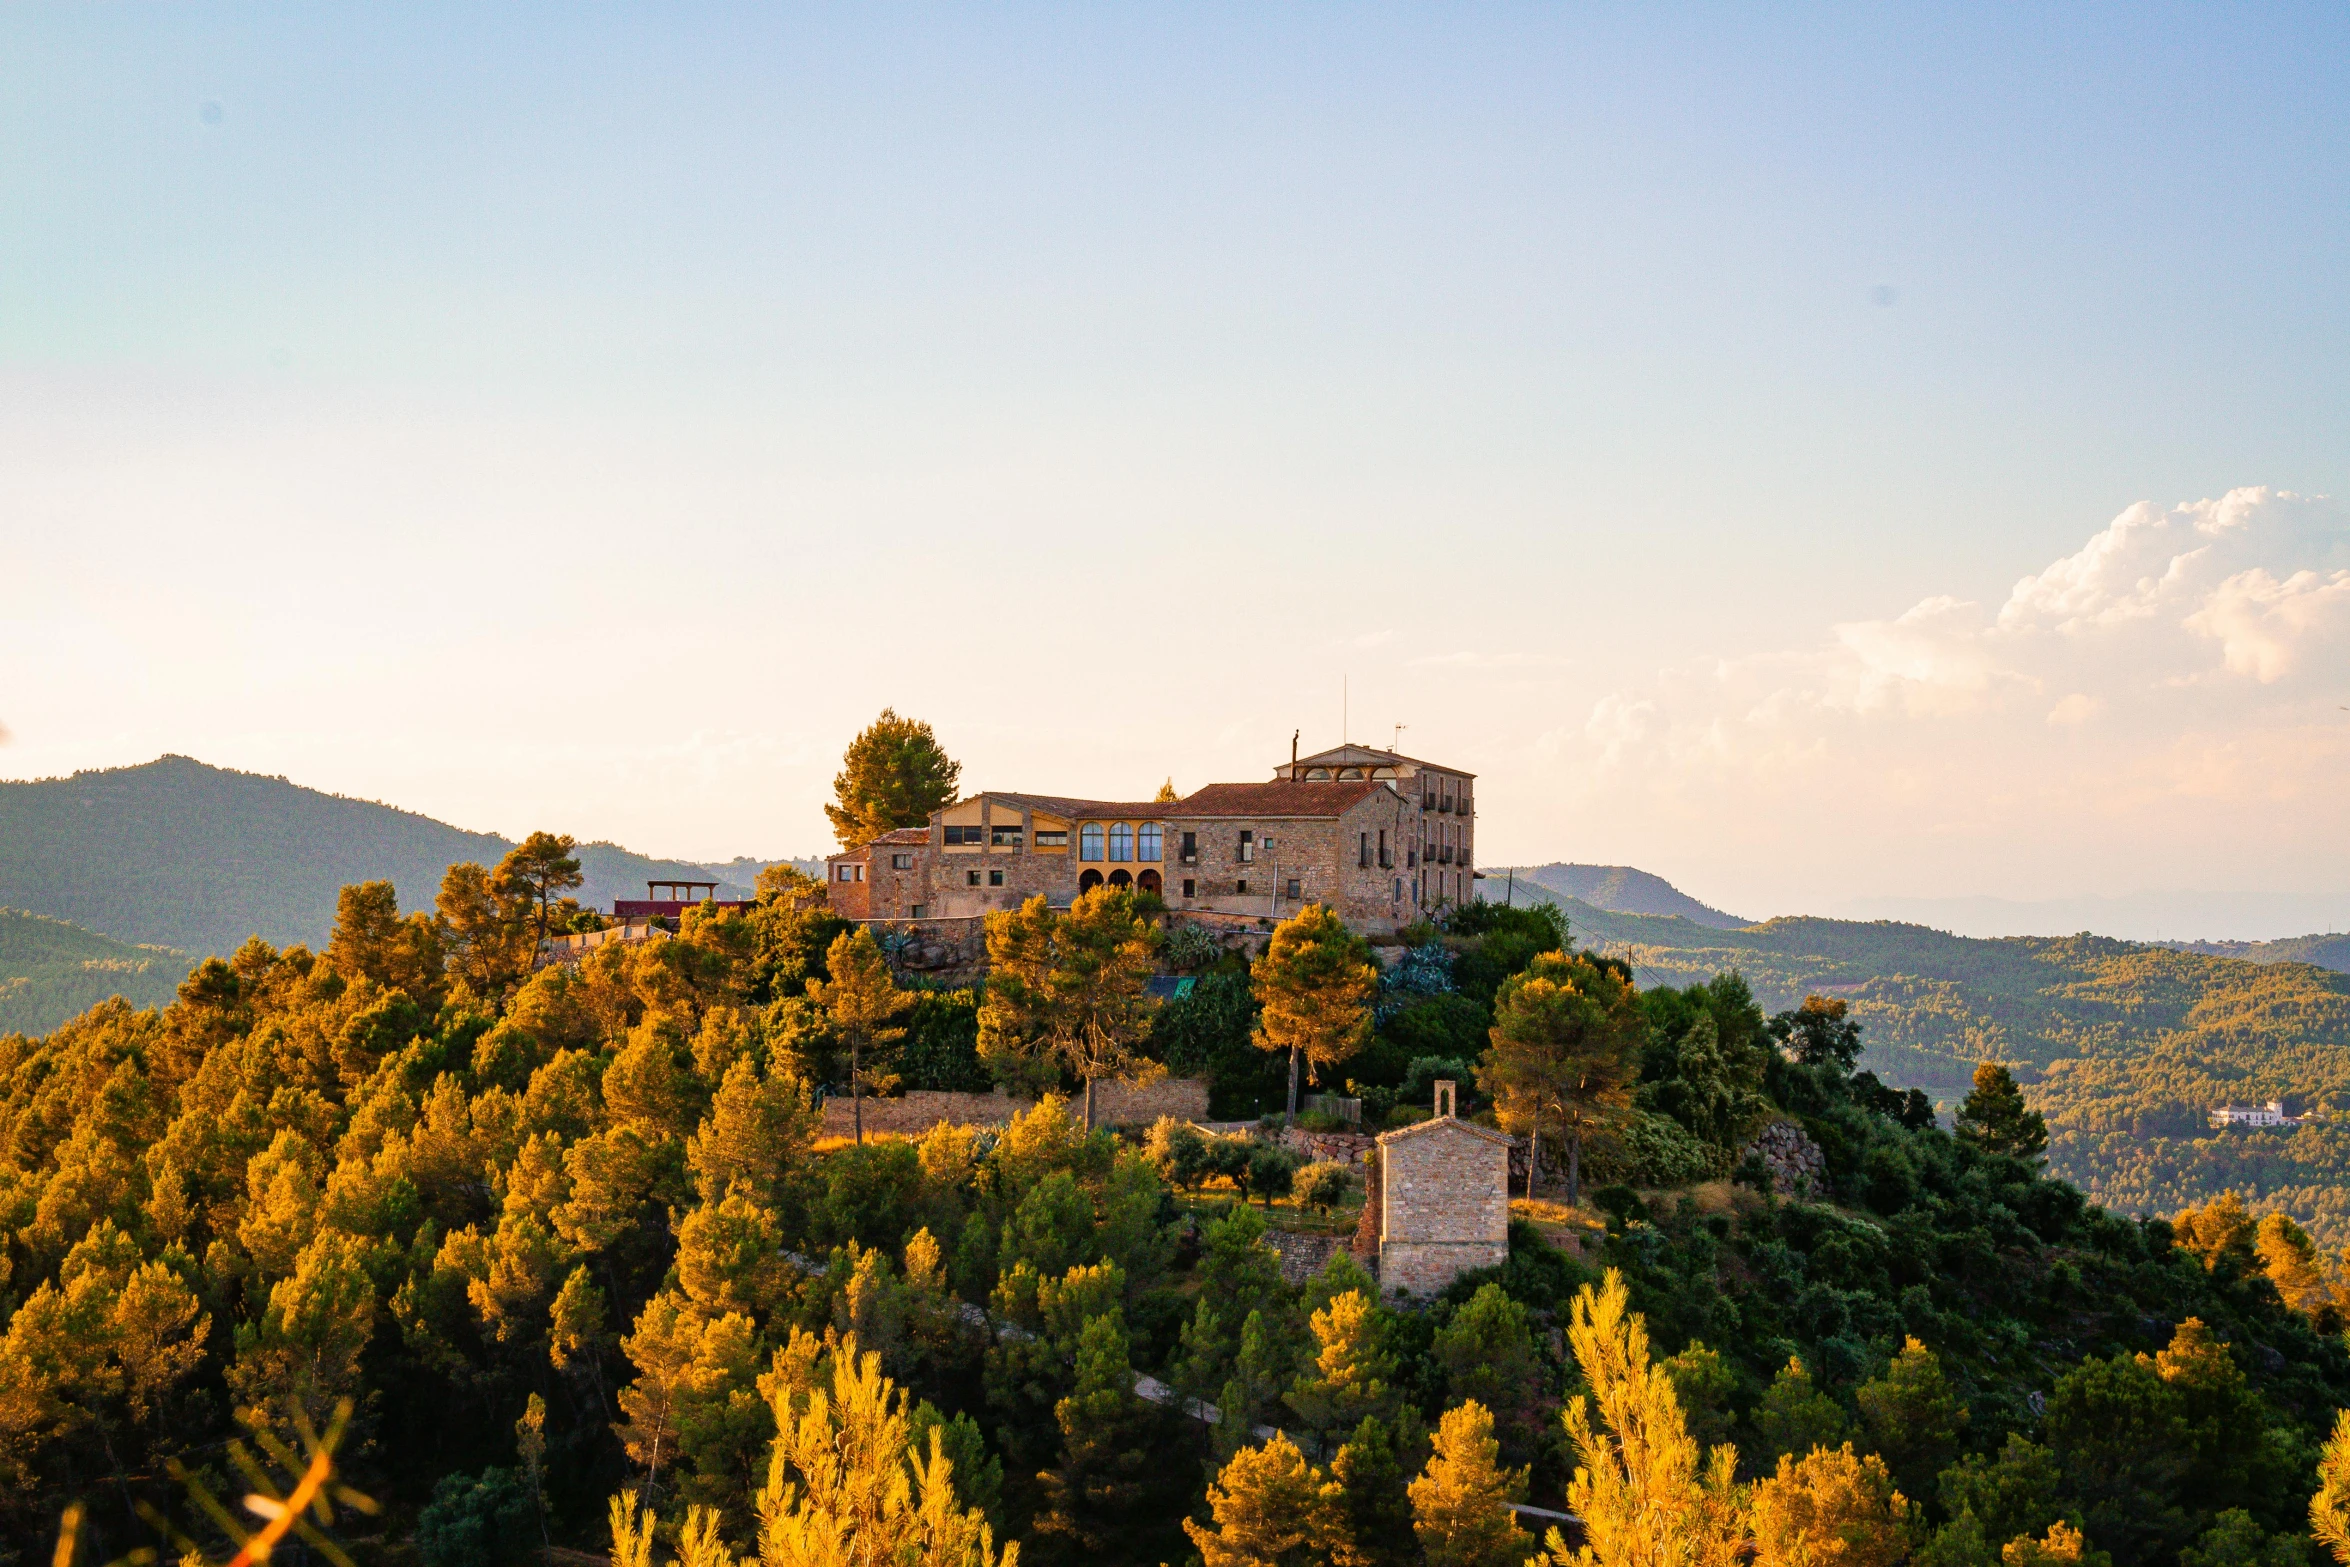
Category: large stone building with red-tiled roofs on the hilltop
<point>1378,838</point>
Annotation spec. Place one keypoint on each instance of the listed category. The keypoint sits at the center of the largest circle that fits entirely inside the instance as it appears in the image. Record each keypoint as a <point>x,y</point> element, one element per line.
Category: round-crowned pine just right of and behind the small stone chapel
<point>1564,1054</point>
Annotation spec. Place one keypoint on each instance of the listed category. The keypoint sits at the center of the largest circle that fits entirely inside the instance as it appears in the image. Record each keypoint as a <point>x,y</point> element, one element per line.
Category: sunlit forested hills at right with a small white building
<point>2123,1047</point>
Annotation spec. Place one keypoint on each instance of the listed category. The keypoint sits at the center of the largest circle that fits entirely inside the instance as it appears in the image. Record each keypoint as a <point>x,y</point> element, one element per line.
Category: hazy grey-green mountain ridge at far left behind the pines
<point>199,859</point>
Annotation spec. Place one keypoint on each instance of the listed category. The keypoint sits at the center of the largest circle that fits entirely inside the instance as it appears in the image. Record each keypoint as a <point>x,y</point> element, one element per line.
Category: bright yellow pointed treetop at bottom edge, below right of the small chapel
<point>1644,1493</point>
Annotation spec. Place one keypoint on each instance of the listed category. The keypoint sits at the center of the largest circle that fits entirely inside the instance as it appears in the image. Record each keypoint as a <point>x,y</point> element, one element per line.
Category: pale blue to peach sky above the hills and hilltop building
<point>1829,457</point>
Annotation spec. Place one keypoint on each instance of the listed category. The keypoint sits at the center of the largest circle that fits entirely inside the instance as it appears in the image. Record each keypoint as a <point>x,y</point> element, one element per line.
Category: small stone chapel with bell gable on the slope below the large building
<point>1442,1190</point>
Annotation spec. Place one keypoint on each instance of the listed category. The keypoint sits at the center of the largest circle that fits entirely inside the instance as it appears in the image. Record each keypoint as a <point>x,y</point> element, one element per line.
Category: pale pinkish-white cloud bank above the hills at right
<point>2161,708</point>
